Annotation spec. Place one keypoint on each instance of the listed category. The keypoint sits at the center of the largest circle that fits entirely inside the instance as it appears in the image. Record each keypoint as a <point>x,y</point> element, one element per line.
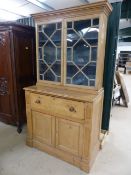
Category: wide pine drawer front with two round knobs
<point>58,106</point>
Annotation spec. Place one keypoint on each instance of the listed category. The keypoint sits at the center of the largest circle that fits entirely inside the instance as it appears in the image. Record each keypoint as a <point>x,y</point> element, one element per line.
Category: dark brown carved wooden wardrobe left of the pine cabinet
<point>17,70</point>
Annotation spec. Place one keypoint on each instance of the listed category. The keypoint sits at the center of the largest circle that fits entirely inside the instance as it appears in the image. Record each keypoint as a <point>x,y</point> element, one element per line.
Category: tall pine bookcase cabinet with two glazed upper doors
<point>64,108</point>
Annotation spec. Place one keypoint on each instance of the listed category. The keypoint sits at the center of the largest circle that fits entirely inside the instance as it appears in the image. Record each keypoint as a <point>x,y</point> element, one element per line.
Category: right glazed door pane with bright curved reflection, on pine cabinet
<point>81,51</point>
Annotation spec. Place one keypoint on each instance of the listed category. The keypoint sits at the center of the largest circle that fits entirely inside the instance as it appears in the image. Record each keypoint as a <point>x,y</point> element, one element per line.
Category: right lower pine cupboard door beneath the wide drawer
<point>69,136</point>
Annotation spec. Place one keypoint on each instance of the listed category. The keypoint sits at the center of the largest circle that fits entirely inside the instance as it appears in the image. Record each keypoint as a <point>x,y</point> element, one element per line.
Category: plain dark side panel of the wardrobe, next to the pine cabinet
<point>25,73</point>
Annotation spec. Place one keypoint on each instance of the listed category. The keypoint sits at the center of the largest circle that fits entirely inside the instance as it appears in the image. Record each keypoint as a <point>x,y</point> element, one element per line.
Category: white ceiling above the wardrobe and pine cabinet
<point>11,10</point>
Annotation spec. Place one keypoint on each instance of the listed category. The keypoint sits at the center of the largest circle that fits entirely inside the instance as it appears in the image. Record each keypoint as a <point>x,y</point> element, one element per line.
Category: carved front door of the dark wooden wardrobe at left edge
<point>6,85</point>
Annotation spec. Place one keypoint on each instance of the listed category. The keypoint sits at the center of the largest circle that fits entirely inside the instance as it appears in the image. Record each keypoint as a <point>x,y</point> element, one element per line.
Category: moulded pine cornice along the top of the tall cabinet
<point>99,7</point>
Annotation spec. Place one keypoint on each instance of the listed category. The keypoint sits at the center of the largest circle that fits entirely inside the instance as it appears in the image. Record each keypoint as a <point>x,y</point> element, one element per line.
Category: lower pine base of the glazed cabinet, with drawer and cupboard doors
<point>73,139</point>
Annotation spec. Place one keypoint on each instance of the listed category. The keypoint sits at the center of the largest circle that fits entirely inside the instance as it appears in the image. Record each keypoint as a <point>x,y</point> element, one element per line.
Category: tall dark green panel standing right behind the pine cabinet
<point>110,56</point>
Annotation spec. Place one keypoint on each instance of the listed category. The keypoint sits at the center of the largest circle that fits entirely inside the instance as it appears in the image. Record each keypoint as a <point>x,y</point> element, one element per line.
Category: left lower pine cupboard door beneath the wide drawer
<point>43,128</point>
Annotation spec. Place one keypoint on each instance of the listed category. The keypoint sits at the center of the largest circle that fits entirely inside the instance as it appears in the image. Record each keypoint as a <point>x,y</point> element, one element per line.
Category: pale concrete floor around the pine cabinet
<point>114,159</point>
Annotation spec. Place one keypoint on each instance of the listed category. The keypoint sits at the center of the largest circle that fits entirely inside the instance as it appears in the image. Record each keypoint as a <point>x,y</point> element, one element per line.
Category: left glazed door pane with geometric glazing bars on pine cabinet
<point>49,51</point>
